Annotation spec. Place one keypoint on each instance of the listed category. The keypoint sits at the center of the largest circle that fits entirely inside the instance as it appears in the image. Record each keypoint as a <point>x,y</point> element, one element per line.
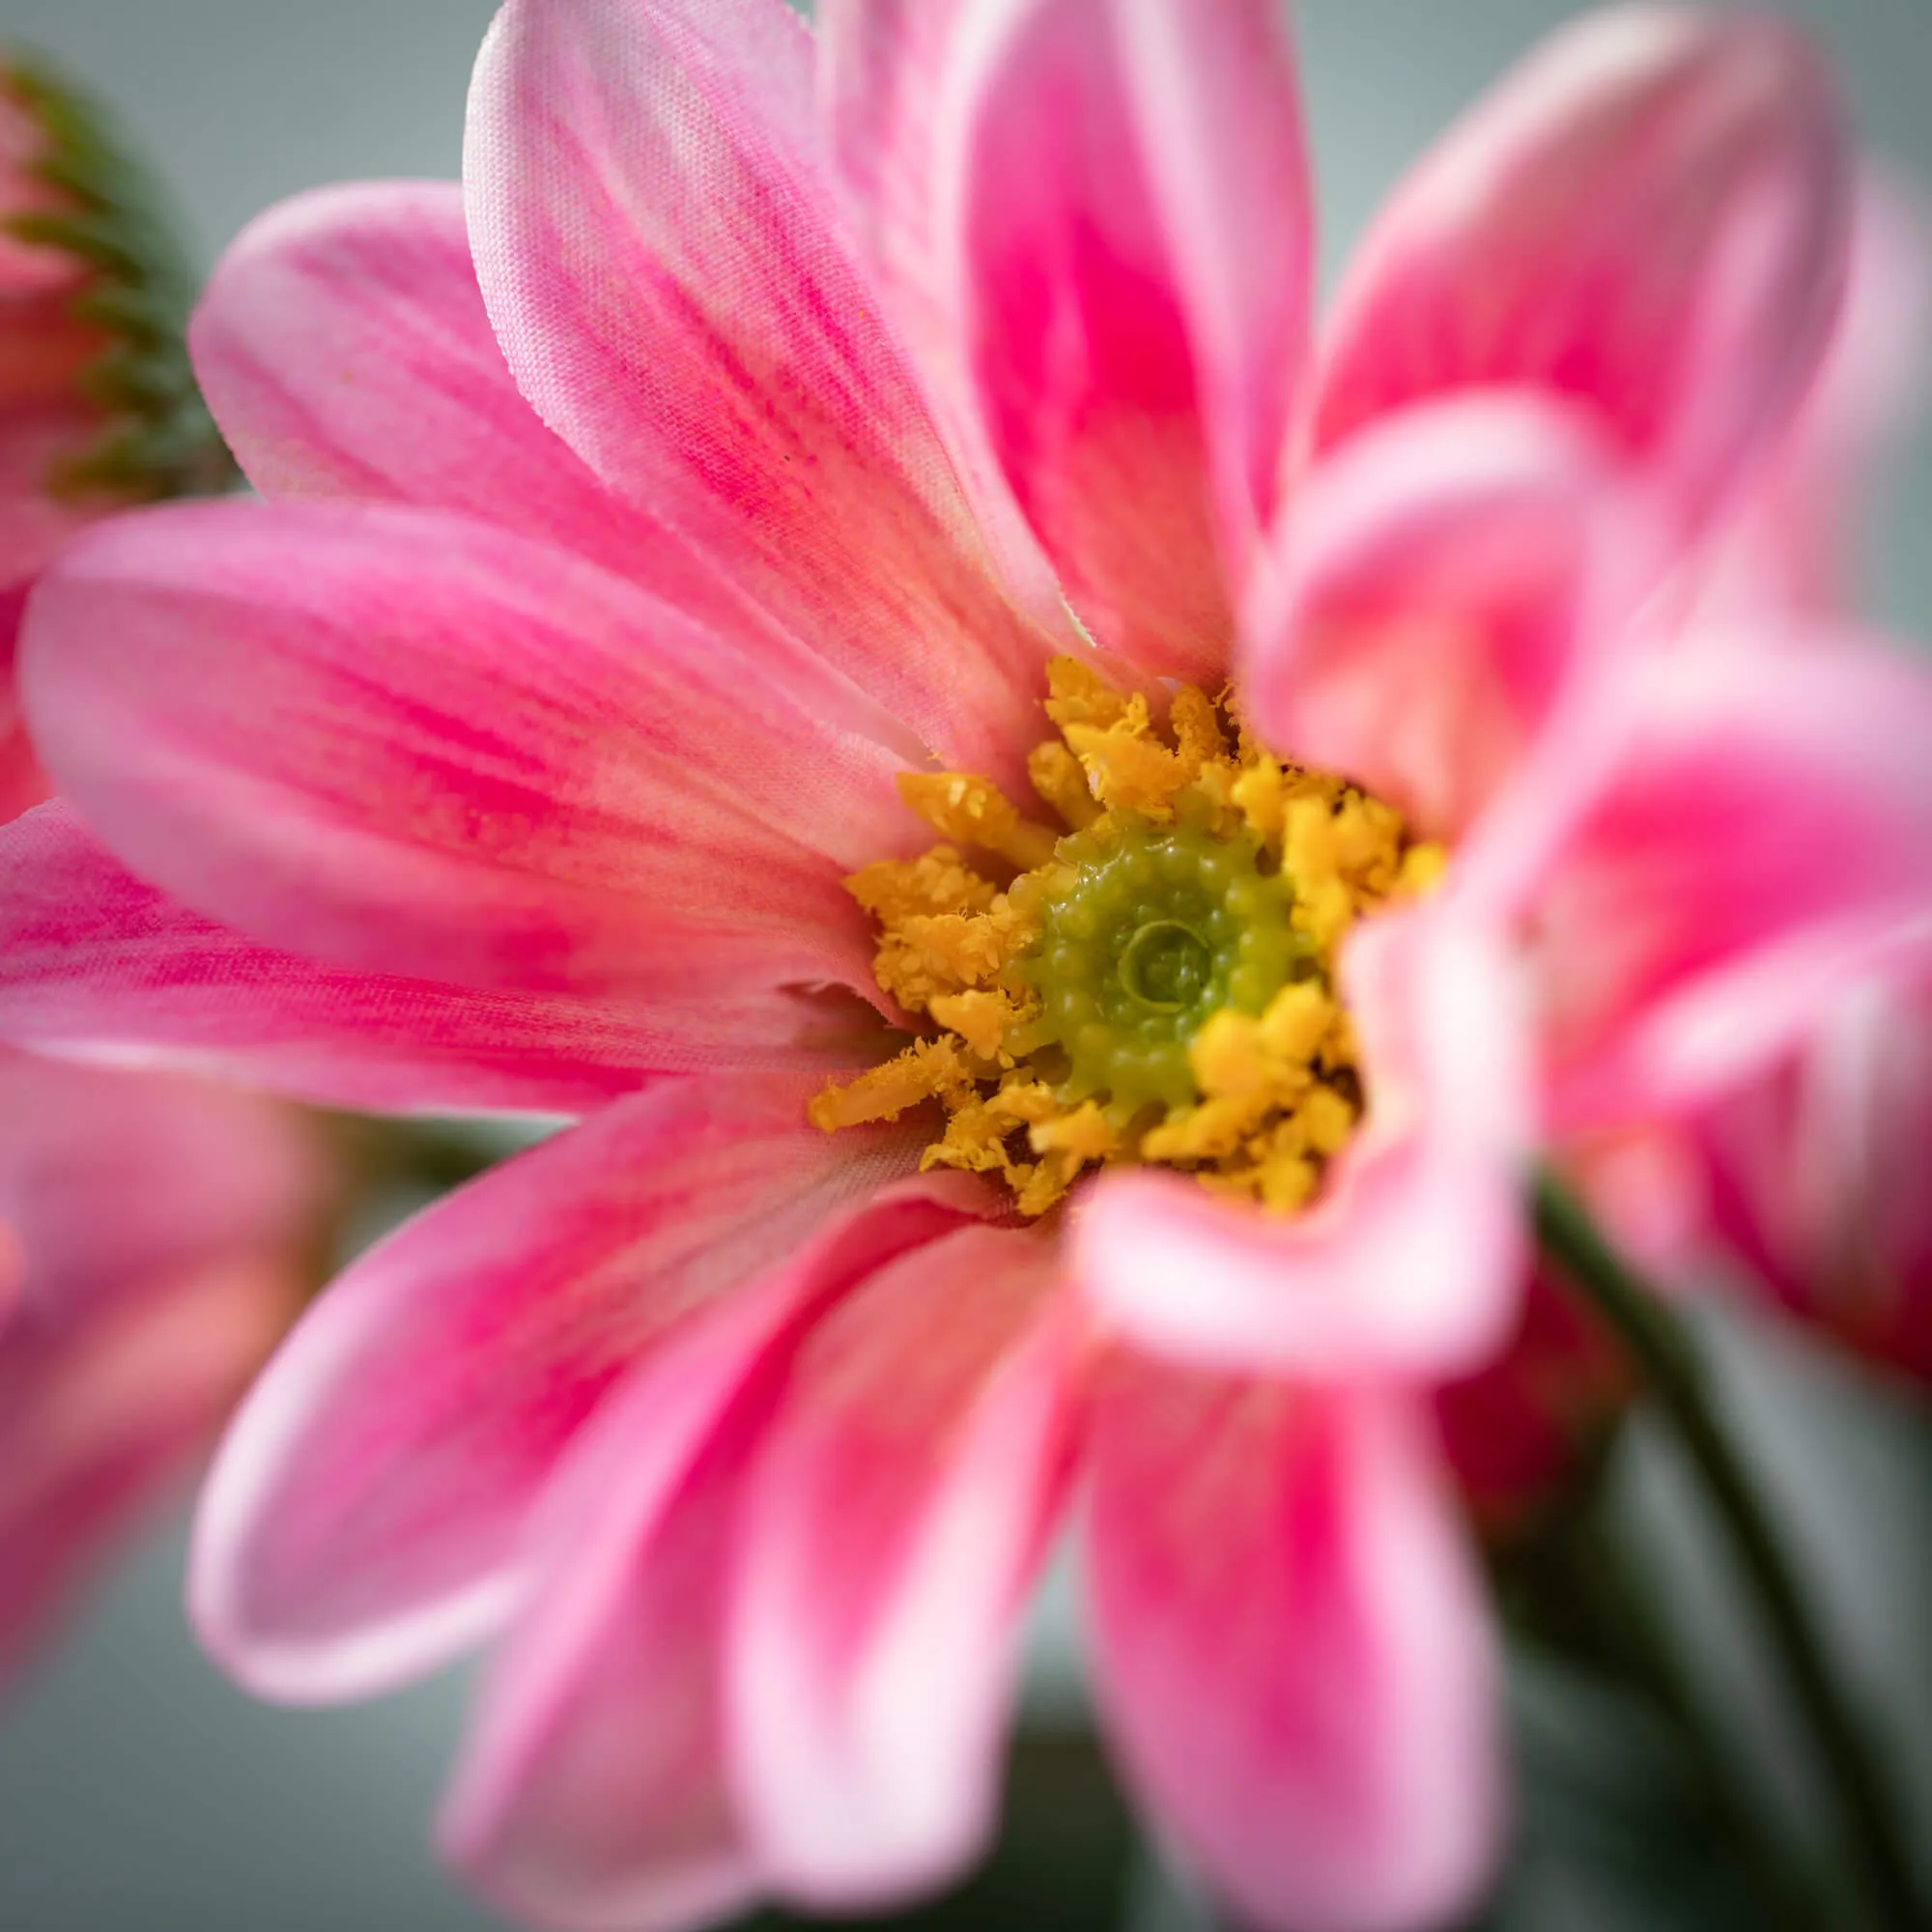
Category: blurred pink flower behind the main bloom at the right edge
<point>1815,1178</point>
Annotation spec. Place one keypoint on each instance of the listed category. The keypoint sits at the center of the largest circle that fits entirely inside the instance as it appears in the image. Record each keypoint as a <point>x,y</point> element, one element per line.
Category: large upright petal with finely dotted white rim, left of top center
<point>662,254</point>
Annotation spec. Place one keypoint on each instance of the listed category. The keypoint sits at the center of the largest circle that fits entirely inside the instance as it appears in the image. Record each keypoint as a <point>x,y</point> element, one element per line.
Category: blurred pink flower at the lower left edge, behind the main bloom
<point>156,1239</point>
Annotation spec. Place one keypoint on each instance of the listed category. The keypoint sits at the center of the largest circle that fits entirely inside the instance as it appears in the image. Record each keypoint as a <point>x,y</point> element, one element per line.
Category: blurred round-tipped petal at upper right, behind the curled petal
<point>1651,217</point>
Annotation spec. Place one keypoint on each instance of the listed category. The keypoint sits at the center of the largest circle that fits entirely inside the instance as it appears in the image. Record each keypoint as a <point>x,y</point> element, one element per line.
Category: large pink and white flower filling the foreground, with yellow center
<point>515,760</point>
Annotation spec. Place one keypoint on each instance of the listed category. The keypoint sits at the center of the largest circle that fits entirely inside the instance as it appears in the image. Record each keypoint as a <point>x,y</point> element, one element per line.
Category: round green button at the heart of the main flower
<point>1145,934</point>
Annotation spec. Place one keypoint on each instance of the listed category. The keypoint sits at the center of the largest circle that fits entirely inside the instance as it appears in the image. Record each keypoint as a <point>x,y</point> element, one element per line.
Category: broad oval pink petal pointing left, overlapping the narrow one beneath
<point>411,743</point>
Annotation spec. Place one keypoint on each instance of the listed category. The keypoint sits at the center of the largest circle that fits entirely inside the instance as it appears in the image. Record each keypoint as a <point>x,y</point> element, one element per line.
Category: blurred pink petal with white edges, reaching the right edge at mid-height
<point>1765,838</point>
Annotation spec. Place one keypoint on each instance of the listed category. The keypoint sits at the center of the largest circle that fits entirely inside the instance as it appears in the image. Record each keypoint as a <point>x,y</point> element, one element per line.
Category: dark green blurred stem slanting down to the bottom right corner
<point>1680,1382</point>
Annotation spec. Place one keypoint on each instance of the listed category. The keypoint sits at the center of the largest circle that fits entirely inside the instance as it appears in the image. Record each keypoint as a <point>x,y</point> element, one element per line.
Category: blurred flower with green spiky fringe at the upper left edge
<point>98,399</point>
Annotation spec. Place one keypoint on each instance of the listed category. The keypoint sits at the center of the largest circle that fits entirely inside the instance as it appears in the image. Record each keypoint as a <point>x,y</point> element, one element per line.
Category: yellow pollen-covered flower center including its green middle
<point>1151,980</point>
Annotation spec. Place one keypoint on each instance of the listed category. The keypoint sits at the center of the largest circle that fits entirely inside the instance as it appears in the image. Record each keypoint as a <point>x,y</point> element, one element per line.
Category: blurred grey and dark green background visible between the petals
<point>142,1794</point>
